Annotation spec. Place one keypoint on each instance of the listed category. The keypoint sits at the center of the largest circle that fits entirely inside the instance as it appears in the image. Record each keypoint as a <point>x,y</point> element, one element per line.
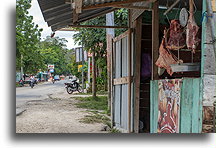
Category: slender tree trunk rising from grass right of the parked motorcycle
<point>93,75</point>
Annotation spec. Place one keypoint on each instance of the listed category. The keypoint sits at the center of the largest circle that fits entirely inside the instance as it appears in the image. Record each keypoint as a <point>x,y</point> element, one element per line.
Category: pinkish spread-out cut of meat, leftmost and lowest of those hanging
<point>165,58</point>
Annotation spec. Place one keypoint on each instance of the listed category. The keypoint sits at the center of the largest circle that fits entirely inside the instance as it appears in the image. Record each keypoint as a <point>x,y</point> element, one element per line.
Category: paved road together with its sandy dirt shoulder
<point>48,108</point>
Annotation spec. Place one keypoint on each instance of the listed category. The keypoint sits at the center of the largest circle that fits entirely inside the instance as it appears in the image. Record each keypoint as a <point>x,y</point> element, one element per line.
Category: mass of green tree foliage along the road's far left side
<point>31,53</point>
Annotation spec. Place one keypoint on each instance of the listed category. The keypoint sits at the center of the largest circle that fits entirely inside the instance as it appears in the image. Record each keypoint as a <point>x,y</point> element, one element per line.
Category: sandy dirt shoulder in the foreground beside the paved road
<point>56,114</point>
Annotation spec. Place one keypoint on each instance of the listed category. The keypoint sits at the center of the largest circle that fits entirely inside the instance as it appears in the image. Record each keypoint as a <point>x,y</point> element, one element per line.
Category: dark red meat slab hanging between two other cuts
<point>176,36</point>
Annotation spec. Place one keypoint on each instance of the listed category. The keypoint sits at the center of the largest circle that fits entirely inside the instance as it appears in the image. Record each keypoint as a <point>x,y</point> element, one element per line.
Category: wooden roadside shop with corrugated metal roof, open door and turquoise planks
<point>146,98</point>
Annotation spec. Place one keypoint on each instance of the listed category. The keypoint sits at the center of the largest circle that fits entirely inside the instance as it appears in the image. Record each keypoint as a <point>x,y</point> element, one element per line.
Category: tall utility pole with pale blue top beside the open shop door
<point>110,33</point>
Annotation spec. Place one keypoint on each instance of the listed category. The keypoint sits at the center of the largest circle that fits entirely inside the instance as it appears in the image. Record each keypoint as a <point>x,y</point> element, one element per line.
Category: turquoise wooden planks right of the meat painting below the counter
<point>191,106</point>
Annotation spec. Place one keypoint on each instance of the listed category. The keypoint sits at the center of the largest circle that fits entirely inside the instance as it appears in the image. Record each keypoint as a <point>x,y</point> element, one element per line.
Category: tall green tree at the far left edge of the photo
<point>27,39</point>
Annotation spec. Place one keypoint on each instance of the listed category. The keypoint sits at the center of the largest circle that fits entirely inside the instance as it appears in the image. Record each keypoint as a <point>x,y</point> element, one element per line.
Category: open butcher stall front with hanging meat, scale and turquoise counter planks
<point>175,62</point>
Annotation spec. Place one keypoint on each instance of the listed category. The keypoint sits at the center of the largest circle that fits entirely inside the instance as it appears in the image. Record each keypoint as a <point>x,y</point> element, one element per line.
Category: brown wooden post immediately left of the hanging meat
<point>155,39</point>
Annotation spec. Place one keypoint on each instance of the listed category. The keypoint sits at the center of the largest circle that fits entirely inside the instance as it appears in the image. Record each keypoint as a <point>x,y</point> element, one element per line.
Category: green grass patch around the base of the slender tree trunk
<point>97,103</point>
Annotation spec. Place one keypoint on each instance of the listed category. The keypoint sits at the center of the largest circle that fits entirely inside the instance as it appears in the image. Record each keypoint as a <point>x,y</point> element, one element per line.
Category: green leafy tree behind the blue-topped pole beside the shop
<point>94,40</point>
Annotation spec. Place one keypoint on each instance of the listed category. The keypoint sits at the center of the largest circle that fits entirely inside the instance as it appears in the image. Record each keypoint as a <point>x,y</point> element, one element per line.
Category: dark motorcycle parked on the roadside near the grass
<point>73,86</point>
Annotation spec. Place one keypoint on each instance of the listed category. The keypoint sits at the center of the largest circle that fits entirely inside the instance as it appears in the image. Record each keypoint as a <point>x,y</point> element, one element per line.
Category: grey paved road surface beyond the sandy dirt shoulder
<point>39,92</point>
